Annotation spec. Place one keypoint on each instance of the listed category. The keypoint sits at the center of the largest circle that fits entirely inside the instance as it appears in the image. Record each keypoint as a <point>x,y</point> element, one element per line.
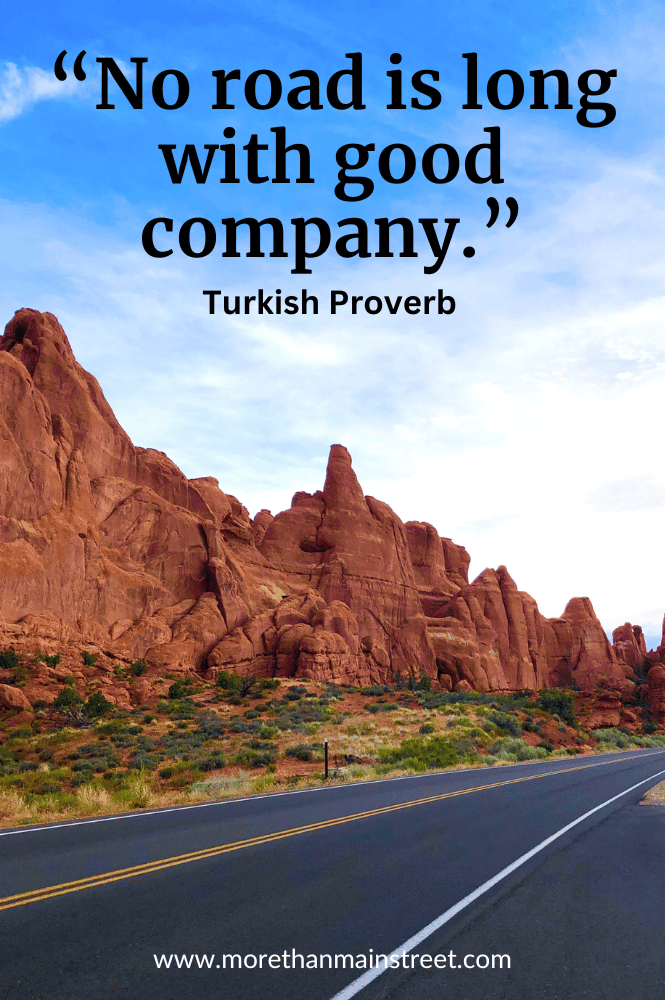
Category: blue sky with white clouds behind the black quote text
<point>527,426</point>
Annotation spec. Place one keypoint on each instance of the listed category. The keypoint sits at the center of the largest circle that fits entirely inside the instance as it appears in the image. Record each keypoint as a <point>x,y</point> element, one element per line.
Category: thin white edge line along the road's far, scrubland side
<point>138,814</point>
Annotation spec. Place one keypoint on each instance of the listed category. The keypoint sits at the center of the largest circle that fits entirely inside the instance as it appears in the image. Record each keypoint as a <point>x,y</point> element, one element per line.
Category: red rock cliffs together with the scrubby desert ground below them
<point>157,643</point>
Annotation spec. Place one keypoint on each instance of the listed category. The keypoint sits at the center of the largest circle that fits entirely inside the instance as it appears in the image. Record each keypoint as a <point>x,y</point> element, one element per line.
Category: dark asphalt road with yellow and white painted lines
<point>583,917</point>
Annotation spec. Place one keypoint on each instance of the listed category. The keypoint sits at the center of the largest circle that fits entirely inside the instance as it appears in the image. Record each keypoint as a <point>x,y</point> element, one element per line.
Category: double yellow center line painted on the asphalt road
<point>47,892</point>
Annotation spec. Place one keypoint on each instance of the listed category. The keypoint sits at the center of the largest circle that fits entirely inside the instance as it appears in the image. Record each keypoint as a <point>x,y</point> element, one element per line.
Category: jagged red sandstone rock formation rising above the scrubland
<point>118,546</point>
